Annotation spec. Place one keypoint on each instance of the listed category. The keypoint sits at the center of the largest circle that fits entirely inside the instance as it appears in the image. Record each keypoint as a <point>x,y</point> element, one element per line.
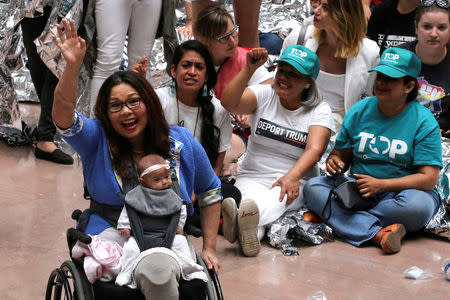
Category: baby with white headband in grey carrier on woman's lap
<point>157,205</point>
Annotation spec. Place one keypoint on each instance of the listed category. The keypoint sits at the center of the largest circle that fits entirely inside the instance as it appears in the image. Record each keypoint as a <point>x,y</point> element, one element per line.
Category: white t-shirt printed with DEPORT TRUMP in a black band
<point>279,136</point>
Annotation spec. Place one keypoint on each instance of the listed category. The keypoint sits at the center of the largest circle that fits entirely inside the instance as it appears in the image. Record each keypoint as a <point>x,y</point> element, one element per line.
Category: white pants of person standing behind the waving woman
<point>114,18</point>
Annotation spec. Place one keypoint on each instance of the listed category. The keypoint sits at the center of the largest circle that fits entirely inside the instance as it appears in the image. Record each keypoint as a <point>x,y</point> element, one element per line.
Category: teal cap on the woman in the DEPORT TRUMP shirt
<point>302,59</point>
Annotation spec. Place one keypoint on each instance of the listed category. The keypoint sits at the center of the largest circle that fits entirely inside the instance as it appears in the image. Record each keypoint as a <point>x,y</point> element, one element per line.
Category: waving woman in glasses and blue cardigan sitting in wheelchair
<point>130,124</point>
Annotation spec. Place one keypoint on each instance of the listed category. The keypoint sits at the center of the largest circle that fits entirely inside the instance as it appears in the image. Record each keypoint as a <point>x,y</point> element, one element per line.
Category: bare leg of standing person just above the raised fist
<point>246,13</point>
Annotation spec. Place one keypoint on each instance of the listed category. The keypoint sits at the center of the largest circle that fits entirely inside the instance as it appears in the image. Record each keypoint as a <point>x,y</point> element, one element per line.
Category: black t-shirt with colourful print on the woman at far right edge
<point>434,87</point>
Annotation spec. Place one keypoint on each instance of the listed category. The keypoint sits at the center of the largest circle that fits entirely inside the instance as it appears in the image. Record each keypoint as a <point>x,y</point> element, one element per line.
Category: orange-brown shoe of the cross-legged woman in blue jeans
<point>390,238</point>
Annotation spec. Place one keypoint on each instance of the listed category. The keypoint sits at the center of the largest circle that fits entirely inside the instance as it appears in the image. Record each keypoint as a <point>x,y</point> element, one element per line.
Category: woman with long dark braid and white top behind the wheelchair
<point>188,102</point>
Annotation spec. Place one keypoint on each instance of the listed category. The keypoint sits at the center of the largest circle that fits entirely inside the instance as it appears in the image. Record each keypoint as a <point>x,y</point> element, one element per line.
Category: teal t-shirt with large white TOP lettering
<point>390,147</point>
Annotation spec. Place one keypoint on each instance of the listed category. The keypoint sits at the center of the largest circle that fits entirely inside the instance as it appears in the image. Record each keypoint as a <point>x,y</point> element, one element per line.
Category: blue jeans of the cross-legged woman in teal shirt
<point>412,208</point>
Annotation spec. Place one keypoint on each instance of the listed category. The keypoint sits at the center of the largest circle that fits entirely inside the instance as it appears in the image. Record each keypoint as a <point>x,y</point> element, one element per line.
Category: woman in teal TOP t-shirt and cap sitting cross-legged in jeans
<point>396,165</point>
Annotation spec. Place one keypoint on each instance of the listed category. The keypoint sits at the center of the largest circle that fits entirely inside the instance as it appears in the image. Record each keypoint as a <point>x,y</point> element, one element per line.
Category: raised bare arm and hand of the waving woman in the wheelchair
<point>73,49</point>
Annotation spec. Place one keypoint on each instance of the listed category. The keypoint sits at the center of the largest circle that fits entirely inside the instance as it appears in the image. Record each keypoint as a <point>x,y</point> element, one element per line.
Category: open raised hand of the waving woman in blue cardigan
<point>71,45</point>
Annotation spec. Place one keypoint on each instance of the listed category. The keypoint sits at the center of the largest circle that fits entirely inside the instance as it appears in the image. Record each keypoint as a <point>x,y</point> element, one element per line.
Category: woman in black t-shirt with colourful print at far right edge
<point>432,47</point>
